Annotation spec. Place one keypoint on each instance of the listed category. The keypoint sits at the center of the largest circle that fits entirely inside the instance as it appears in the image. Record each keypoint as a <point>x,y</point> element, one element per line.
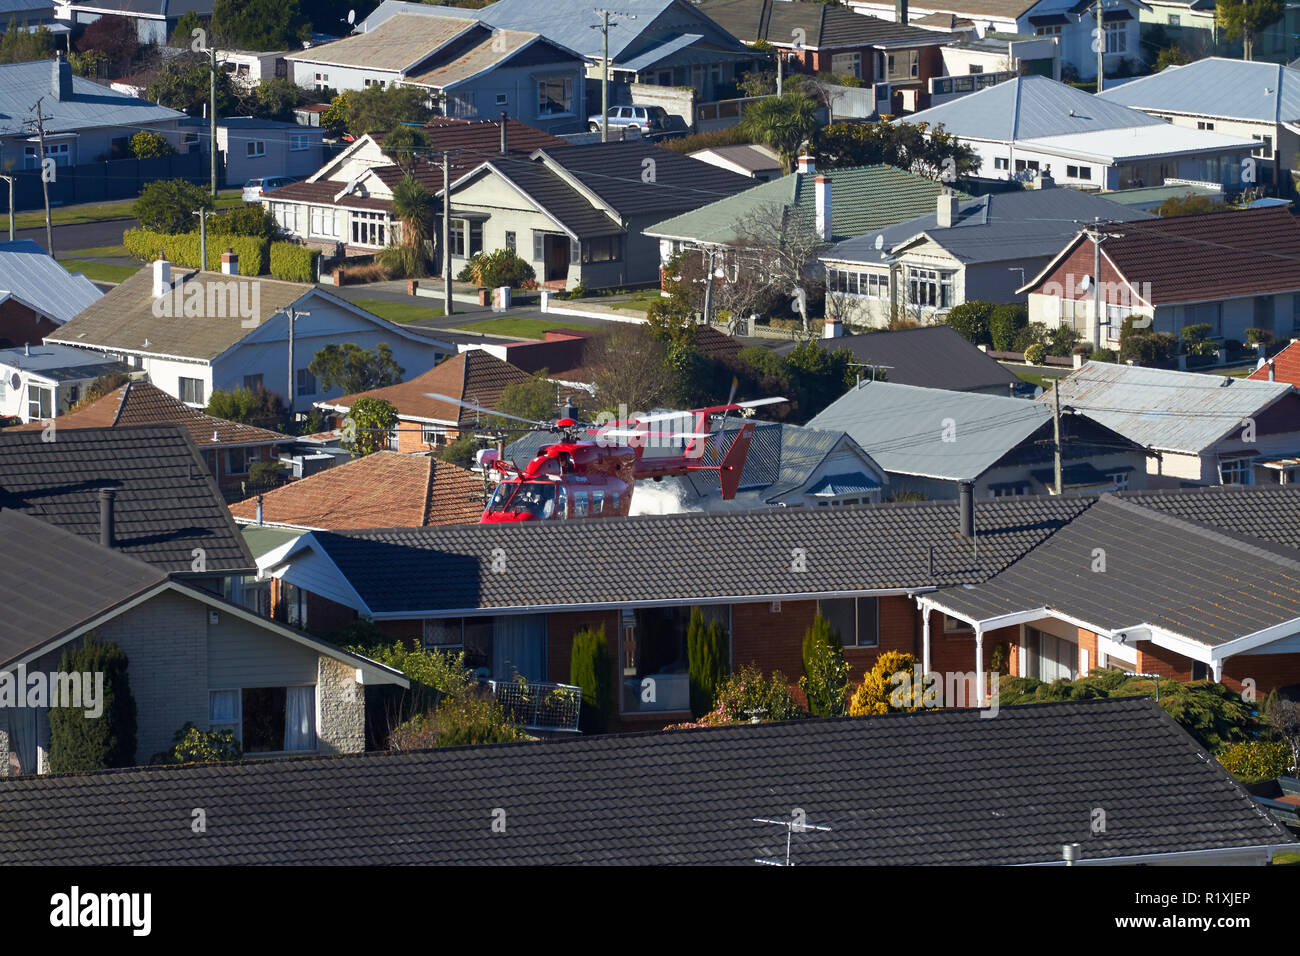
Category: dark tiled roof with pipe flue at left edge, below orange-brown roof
<point>167,503</point>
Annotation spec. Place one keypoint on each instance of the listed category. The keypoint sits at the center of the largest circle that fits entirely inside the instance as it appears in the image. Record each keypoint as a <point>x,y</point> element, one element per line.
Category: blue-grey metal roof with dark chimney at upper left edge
<point>92,106</point>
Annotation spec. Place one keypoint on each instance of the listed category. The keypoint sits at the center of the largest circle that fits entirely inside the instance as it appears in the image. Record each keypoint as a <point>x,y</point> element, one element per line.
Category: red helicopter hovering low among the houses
<point>578,478</point>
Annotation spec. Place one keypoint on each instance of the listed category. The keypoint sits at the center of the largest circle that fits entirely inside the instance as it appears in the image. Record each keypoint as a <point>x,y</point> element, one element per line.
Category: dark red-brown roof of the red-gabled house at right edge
<point>1210,257</point>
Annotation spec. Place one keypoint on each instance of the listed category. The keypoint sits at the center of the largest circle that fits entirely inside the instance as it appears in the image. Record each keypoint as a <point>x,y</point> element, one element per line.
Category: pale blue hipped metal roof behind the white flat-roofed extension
<point>1029,109</point>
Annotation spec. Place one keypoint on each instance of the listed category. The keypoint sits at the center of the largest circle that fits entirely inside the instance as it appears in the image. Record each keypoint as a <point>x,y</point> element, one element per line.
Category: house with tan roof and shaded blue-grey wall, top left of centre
<point>473,68</point>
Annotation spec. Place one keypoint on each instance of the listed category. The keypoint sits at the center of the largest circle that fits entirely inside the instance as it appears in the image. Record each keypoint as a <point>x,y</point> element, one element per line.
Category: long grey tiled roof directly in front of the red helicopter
<point>710,557</point>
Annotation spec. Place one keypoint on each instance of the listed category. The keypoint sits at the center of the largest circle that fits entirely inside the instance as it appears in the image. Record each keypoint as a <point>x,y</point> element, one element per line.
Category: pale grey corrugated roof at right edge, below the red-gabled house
<point>1165,409</point>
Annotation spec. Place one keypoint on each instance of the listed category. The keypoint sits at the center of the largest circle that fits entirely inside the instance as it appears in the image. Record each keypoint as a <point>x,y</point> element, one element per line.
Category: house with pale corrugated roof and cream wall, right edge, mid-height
<point>1204,430</point>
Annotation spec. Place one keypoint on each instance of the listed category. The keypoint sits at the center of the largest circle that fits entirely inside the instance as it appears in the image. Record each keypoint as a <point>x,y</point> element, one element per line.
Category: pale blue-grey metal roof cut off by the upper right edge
<point>1216,86</point>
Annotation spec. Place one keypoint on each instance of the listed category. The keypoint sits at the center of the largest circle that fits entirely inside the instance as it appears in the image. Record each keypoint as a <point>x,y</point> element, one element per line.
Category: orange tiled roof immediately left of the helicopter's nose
<point>384,490</point>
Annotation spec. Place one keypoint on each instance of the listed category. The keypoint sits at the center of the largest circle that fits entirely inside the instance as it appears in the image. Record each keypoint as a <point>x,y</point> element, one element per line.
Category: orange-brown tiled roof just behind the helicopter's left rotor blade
<point>473,377</point>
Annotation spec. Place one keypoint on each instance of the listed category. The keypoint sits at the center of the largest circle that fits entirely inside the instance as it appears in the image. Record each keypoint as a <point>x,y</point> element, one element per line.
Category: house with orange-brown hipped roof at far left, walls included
<point>229,449</point>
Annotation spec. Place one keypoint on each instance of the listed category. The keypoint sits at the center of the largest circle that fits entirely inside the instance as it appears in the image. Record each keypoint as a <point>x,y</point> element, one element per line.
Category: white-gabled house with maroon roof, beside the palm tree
<point>346,206</point>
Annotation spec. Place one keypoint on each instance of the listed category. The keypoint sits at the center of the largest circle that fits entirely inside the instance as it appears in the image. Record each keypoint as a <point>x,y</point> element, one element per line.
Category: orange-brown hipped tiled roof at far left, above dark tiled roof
<point>144,404</point>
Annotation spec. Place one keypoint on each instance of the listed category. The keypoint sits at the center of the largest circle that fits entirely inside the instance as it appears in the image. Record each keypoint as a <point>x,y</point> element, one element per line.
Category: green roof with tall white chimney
<point>863,198</point>
